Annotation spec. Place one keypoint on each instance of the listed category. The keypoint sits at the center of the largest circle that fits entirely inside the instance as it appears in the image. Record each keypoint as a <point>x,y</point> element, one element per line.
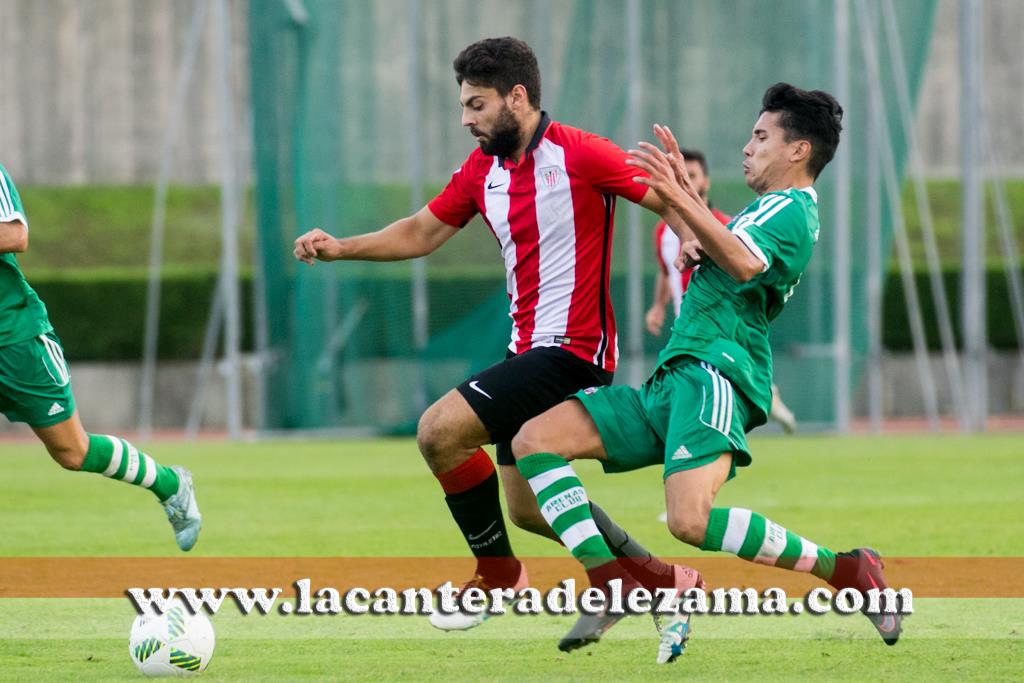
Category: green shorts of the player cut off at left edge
<point>35,385</point>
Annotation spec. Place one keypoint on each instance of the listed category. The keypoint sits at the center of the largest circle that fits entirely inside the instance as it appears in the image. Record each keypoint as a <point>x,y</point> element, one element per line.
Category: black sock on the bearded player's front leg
<point>479,515</point>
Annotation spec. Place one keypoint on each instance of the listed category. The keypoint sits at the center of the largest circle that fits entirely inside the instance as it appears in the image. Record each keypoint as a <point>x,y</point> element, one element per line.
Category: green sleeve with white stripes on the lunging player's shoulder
<point>777,233</point>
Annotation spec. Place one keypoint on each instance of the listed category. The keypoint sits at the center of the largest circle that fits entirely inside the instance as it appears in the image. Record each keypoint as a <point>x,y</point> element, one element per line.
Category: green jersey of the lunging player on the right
<point>726,323</point>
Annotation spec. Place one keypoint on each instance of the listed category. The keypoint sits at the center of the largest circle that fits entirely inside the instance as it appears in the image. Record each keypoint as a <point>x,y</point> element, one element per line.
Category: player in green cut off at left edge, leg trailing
<point>35,388</point>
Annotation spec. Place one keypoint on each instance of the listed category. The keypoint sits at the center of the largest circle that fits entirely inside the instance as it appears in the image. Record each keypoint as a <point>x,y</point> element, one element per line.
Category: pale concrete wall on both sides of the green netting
<point>89,88</point>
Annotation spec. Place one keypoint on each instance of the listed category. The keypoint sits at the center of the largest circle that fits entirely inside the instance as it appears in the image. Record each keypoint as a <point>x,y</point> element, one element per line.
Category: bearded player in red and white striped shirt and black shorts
<point>548,194</point>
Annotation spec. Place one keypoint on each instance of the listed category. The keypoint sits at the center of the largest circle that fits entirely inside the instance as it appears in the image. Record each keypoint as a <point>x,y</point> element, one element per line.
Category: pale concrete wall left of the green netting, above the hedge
<point>90,84</point>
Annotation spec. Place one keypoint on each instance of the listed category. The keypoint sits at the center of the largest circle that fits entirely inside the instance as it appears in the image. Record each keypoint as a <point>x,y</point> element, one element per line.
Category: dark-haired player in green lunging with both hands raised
<point>713,381</point>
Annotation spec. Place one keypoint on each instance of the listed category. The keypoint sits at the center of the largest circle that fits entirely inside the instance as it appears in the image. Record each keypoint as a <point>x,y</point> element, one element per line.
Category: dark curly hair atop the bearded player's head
<point>500,64</point>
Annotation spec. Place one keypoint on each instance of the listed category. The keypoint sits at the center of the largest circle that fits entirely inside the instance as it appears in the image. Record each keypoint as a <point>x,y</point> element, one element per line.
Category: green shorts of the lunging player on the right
<point>686,416</point>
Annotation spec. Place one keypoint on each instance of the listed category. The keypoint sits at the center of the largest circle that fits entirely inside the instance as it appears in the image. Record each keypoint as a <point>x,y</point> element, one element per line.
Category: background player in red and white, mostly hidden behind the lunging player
<point>670,284</point>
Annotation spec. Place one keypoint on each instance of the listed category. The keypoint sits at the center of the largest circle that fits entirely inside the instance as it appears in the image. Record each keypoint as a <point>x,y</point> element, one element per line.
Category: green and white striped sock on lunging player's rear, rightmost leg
<point>757,539</point>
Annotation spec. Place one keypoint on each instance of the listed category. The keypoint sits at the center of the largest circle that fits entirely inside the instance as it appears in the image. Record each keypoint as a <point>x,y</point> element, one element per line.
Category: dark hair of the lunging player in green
<point>814,116</point>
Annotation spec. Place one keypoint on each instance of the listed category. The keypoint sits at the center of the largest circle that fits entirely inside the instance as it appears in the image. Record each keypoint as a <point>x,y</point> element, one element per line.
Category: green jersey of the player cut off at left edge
<point>23,315</point>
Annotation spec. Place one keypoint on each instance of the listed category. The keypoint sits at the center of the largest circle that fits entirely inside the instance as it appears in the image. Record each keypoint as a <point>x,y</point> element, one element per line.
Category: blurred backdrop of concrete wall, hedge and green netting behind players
<point>168,153</point>
